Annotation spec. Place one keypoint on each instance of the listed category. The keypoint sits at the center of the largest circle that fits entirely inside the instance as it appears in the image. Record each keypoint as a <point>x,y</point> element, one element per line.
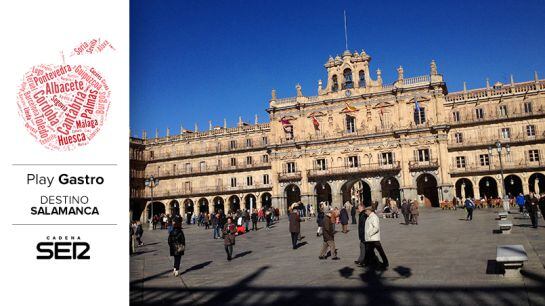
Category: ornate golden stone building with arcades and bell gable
<point>357,140</point>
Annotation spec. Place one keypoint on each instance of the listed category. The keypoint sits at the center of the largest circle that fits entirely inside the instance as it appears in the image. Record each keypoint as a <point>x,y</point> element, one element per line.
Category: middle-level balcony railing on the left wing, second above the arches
<point>208,170</point>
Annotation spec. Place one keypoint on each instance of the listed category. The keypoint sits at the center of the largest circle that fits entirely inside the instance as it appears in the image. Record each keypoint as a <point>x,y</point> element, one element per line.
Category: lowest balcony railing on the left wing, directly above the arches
<point>202,191</point>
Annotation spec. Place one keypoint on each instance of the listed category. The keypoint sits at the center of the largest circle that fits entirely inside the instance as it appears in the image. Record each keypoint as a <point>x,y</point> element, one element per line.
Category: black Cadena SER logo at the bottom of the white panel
<point>63,248</point>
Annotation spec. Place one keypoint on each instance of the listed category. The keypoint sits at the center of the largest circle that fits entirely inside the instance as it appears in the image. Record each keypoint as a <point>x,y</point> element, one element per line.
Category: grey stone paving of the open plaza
<point>444,260</point>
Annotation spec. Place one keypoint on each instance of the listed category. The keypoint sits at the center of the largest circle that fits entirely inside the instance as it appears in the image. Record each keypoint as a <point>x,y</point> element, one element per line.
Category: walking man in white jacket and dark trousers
<point>372,239</point>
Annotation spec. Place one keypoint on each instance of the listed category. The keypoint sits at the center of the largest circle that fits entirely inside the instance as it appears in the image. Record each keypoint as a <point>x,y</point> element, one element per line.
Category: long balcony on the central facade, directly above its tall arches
<point>360,169</point>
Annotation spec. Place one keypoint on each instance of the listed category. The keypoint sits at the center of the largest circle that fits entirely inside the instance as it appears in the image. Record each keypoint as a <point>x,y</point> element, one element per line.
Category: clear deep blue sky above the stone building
<point>194,61</point>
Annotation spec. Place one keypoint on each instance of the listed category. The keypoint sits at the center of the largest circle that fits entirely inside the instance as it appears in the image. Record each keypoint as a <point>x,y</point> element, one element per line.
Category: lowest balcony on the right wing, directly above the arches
<point>494,167</point>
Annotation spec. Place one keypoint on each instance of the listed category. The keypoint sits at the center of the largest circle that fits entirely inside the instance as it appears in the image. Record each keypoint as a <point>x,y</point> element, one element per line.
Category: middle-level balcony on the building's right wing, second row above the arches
<point>476,142</point>
